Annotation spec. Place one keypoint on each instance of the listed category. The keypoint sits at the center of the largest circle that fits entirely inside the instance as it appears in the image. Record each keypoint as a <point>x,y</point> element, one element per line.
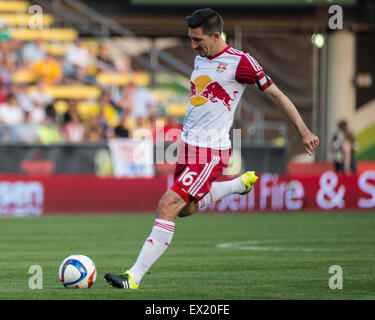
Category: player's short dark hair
<point>209,20</point>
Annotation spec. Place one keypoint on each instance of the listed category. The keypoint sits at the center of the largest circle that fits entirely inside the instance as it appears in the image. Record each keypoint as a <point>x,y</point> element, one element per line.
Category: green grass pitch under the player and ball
<point>212,256</point>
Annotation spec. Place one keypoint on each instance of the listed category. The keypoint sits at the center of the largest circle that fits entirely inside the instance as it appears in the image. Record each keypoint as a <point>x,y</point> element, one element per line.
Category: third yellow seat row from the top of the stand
<point>49,34</point>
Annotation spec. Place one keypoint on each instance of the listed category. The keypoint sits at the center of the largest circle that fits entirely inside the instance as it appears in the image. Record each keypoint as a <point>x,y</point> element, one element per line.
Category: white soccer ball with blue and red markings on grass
<point>77,271</point>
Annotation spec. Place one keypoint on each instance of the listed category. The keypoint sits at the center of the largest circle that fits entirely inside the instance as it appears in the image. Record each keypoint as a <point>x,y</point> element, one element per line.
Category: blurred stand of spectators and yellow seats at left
<point>50,77</point>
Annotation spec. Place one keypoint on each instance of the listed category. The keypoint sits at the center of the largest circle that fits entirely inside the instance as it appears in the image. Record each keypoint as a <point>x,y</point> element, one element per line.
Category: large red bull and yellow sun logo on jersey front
<point>203,89</point>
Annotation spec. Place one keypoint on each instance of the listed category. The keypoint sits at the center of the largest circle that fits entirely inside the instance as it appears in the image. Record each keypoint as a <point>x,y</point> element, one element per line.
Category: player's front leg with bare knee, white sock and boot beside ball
<point>155,244</point>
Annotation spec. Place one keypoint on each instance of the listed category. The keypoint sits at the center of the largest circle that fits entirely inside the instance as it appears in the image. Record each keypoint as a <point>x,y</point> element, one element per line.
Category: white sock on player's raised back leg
<point>220,190</point>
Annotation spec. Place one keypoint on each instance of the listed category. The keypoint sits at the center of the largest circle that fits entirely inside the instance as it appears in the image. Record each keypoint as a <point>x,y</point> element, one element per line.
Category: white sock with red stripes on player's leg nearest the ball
<point>154,246</point>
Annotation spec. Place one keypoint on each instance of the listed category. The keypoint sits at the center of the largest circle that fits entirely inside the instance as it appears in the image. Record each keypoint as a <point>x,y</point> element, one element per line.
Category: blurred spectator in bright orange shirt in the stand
<point>48,70</point>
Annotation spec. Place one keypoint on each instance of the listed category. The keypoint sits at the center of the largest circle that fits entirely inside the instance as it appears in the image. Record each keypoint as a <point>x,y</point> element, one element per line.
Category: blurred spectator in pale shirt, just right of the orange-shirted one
<point>77,60</point>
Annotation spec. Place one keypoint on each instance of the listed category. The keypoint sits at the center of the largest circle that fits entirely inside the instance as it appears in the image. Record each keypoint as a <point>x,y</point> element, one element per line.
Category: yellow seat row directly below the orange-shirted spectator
<point>72,92</point>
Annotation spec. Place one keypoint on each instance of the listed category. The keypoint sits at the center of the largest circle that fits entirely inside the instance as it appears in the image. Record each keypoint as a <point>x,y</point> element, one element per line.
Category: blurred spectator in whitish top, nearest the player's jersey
<point>139,101</point>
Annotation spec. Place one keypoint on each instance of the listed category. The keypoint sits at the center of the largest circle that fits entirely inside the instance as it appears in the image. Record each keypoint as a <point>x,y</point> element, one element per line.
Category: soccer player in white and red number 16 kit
<point>218,80</point>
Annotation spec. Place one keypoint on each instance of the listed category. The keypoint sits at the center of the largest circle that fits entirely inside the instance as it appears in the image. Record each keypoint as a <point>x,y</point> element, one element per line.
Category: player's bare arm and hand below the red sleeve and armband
<point>310,140</point>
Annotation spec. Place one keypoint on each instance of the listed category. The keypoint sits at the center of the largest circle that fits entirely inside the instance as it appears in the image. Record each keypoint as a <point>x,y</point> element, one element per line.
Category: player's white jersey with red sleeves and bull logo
<point>217,84</point>
